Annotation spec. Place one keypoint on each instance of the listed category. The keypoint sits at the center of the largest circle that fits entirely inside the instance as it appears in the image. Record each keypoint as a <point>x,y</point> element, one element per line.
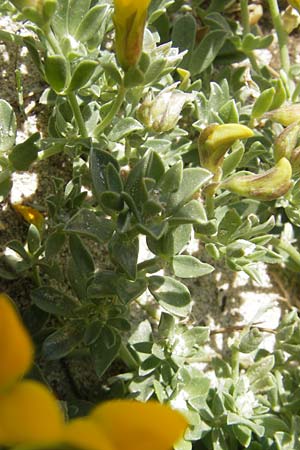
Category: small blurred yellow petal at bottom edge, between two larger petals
<point>85,434</point>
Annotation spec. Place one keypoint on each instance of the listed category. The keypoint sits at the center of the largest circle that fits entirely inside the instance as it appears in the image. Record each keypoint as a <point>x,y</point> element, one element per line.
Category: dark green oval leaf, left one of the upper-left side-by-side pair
<point>56,72</point>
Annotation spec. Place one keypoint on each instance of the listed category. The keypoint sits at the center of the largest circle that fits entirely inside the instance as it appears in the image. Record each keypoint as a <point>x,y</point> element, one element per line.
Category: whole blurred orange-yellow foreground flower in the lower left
<point>30,414</point>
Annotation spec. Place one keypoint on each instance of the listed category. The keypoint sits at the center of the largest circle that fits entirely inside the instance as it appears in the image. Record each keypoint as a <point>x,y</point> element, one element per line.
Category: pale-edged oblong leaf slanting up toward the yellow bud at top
<point>91,22</point>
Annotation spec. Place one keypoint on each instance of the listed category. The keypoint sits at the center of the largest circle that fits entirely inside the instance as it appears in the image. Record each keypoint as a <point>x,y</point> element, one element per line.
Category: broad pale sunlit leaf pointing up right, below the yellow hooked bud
<point>192,180</point>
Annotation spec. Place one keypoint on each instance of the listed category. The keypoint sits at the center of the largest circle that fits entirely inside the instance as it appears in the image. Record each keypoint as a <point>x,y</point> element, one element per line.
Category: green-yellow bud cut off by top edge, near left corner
<point>38,11</point>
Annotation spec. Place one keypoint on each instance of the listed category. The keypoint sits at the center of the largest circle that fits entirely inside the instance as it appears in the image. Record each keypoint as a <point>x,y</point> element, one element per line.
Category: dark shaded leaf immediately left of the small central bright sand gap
<point>124,252</point>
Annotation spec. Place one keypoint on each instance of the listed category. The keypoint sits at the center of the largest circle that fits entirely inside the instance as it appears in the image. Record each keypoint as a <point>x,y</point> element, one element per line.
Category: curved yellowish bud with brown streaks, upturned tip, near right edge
<point>266,186</point>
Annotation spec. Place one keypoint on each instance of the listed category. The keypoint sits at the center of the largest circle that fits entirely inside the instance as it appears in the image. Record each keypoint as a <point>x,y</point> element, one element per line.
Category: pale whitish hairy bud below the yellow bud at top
<point>162,112</point>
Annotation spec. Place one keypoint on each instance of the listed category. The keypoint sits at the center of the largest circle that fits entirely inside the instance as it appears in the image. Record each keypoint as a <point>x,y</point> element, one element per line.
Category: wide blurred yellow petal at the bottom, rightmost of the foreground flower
<point>132,425</point>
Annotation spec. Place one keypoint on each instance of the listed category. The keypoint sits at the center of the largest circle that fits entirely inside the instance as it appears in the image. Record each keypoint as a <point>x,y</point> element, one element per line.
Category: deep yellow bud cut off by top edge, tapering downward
<point>129,20</point>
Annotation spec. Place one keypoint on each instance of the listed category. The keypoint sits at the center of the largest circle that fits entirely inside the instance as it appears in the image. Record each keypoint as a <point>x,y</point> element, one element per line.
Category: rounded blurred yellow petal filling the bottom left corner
<point>29,414</point>
